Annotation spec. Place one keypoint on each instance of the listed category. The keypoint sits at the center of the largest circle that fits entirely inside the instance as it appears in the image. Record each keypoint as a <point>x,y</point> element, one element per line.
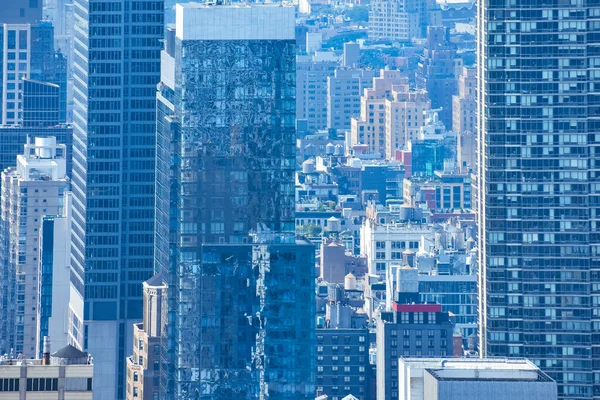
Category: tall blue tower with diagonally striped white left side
<point>117,63</point>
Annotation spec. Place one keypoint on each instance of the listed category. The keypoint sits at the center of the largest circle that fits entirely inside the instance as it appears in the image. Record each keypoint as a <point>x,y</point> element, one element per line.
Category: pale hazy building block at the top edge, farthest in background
<point>401,20</point>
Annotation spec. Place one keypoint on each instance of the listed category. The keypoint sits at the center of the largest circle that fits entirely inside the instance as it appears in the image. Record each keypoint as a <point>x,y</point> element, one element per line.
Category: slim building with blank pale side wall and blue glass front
<point>54,275</point>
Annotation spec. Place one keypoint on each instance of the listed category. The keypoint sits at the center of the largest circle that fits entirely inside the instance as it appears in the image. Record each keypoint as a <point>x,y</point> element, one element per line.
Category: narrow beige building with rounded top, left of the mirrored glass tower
<point>143,366</point>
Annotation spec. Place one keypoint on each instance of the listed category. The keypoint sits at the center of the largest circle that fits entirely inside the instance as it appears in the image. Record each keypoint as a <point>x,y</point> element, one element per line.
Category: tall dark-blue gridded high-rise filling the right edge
<point>538,184</point>
